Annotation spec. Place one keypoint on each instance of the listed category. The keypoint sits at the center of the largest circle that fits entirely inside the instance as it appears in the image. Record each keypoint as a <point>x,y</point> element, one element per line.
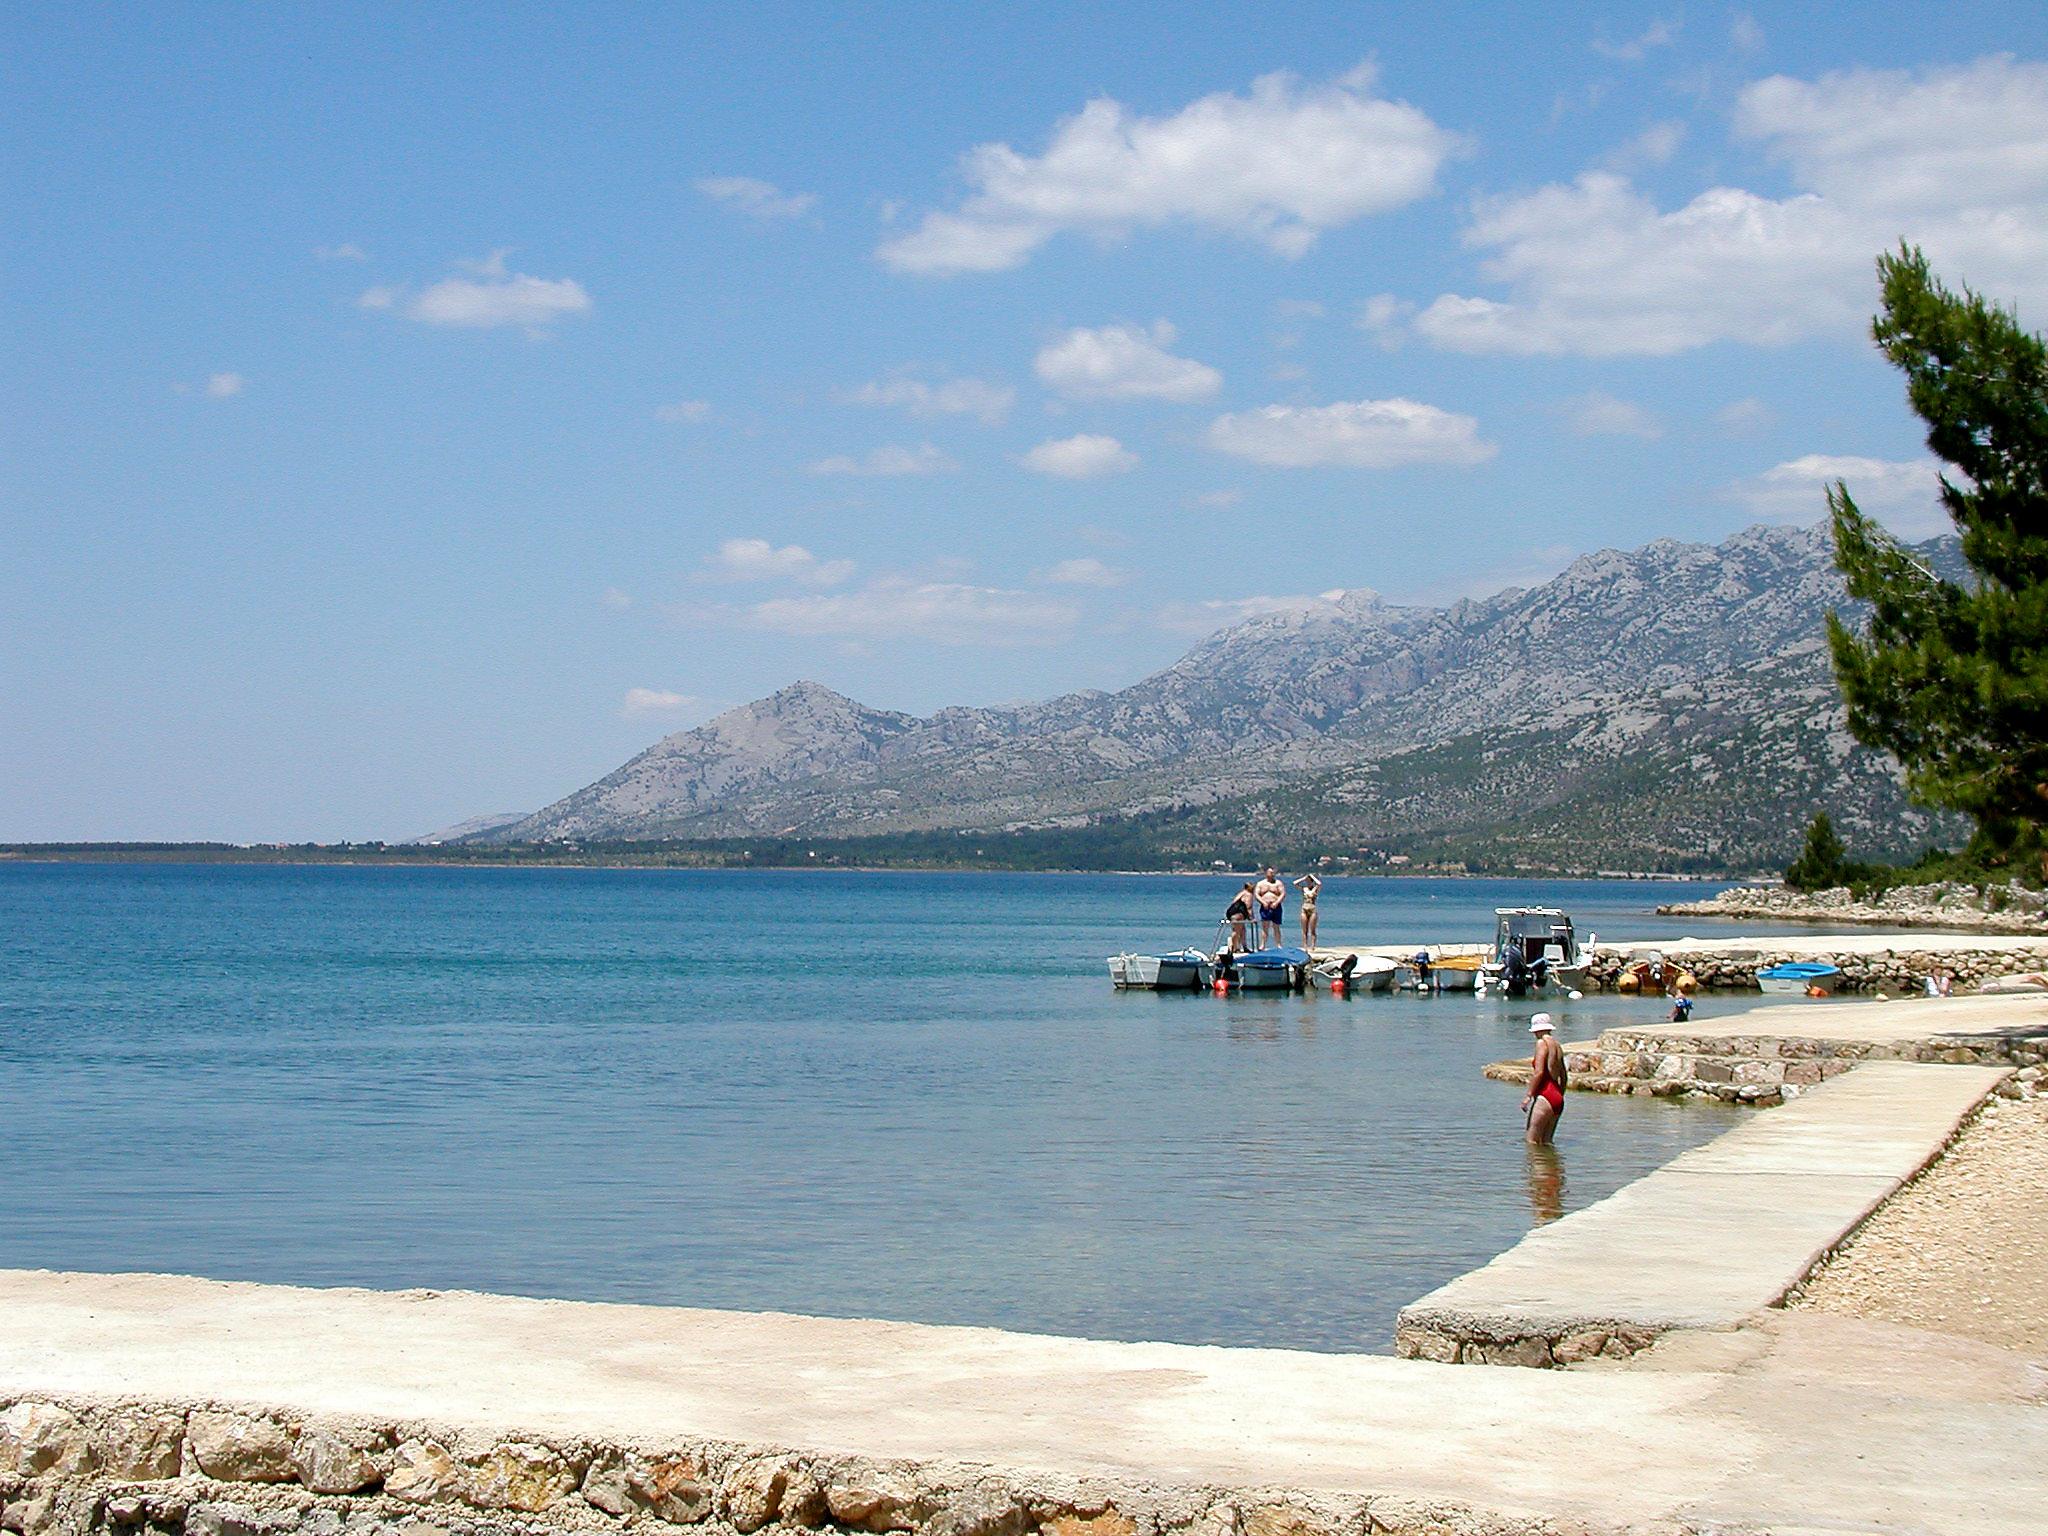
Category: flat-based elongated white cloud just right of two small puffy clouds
<point>1353,433</point>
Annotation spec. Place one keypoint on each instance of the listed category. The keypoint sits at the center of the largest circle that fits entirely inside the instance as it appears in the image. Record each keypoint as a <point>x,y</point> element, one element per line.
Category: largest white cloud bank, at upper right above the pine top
<point>1953,159</point>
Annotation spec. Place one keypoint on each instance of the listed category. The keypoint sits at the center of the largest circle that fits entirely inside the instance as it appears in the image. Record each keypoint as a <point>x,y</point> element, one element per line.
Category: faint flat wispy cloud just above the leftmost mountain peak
<point>945,613</point>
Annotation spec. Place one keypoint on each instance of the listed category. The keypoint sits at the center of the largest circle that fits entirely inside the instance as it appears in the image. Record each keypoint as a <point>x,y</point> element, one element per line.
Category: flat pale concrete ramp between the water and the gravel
<point>1707,1240</point>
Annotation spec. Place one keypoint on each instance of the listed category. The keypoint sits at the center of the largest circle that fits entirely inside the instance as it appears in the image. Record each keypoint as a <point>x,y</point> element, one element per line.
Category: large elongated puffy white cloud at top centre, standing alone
<point>1279,165</point>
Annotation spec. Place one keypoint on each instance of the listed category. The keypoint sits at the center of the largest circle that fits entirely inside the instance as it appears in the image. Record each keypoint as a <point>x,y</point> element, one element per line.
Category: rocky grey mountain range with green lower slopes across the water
<point>1666,708</point>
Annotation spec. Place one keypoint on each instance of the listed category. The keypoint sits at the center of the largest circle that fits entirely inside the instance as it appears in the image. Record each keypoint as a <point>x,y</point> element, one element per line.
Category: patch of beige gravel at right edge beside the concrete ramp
<point>1965,1248</point>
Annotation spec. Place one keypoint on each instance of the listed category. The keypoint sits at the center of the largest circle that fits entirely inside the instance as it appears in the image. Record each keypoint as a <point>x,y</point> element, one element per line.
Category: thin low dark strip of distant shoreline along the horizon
<point>421,857</point>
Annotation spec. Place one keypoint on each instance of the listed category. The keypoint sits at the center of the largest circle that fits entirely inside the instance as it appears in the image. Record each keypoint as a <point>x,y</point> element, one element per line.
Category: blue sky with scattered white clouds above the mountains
<point>417,411</point>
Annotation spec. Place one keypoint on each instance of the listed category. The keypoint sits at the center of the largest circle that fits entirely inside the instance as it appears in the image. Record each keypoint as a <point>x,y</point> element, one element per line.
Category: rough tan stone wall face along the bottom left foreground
<point>159,1469</point>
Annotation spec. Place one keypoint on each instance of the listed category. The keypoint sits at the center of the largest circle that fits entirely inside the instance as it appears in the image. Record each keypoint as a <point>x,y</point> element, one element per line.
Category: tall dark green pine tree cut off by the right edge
<point>1953,679</point>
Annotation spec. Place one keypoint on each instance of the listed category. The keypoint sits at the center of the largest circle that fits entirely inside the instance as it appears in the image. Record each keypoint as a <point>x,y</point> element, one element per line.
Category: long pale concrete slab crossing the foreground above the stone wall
<point>1756,1449</point>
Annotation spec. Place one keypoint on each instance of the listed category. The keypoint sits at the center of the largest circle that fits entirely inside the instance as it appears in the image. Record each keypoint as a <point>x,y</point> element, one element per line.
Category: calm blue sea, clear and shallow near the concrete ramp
<point>824,1093</point>
